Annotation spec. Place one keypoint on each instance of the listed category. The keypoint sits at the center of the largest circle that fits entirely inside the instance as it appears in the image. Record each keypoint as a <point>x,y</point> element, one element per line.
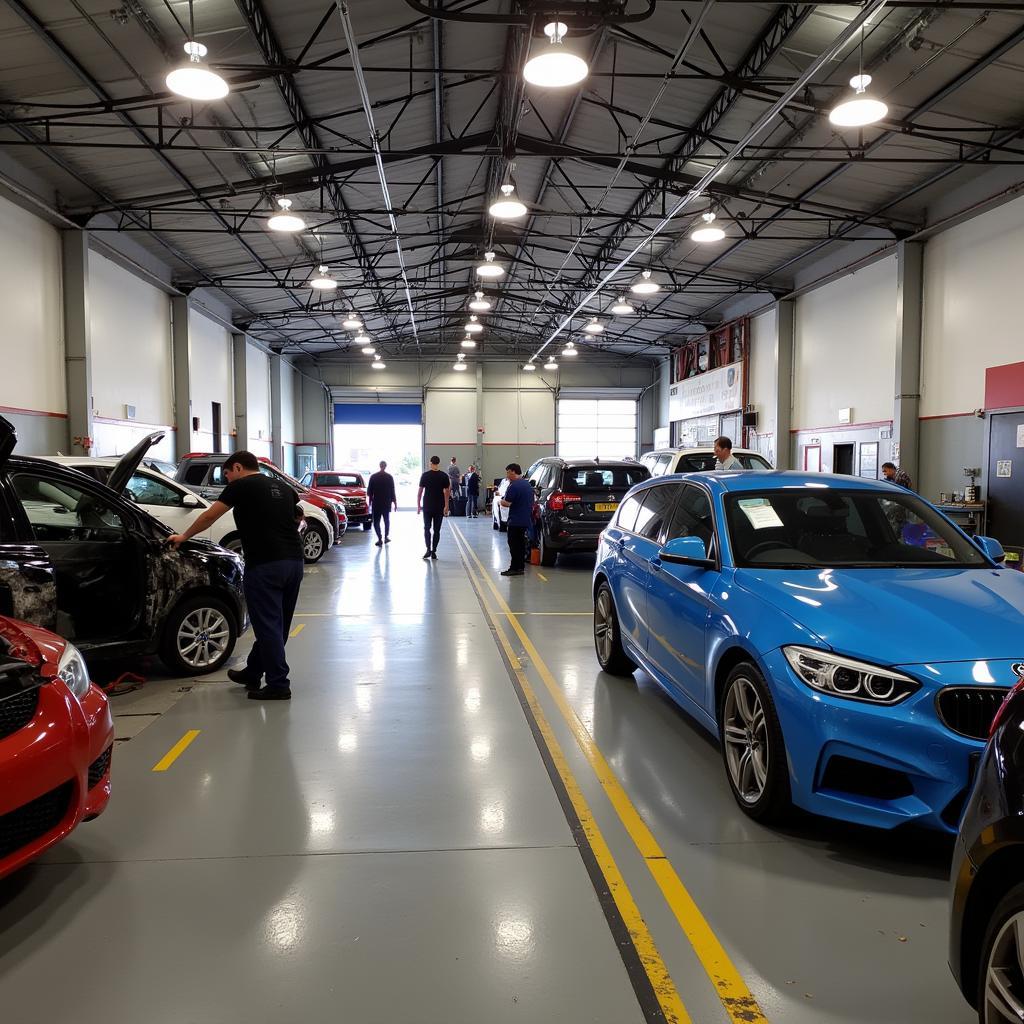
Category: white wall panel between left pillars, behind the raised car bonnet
<point>130,316</point>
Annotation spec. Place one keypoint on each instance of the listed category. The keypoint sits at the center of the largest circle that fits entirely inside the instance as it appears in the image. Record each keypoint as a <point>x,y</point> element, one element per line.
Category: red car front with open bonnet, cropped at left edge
<point>57,737</point>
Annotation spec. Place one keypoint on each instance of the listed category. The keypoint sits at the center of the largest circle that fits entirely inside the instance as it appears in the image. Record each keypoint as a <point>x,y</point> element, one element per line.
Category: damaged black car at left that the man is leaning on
<point>78,559</point>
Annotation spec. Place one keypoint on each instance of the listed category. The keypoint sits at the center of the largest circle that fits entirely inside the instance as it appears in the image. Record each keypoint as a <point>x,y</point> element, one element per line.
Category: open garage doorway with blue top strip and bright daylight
<point>365,434</point>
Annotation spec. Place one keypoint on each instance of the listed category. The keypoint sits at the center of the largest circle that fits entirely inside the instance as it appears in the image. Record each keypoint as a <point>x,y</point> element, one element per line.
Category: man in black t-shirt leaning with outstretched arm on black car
<point>266,513</point>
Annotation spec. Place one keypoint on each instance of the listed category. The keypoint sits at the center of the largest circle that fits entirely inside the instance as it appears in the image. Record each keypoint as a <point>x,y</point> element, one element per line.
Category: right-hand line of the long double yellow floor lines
<point>737,998</point>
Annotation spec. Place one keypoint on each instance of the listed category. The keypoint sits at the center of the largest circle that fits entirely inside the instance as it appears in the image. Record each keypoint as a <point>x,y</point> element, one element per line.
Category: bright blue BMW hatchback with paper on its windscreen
<point>847,645</point>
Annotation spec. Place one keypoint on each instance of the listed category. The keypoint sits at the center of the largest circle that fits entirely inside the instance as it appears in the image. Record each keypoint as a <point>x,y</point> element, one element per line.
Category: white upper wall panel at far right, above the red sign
<point>973,276</point>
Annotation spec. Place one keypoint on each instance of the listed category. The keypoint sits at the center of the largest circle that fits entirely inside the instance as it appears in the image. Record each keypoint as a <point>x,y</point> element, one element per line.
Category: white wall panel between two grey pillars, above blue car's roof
<point>845,349</point>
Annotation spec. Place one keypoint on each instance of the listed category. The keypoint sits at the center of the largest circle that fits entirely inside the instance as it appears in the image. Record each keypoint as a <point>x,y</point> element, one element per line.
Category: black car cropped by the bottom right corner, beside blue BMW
<point>987,927</point>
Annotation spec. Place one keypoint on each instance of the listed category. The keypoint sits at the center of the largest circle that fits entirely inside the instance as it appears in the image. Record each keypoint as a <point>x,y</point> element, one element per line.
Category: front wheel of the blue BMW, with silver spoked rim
<point>753,747</point>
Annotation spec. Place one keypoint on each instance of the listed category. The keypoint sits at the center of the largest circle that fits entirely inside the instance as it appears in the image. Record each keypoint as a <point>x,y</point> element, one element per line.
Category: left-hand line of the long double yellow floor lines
<point>665,989</point>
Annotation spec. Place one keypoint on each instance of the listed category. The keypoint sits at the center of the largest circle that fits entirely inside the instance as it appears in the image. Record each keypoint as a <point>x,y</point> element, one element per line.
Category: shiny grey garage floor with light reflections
<point>390,846</point>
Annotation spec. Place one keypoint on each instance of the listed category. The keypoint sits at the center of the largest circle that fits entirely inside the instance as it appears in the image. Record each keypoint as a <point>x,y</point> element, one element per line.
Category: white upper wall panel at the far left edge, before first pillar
<point>33,377</point>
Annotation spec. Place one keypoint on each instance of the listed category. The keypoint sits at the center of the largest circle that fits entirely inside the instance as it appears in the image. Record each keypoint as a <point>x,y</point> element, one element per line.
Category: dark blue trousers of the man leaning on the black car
<point>272,593</point>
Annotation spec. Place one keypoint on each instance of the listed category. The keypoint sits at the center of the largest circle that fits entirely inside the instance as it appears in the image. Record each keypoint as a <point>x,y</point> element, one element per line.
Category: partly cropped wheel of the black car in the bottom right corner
<point>1001,974</point>
